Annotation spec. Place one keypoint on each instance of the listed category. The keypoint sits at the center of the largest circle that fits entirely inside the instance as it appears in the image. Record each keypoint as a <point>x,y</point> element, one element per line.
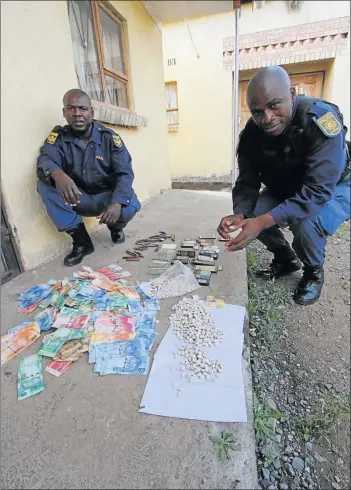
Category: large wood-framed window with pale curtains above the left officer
<point>97,37</point>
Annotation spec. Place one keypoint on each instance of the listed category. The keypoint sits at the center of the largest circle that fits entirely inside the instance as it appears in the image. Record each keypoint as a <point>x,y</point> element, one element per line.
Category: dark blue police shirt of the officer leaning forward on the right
<point>300,168</point>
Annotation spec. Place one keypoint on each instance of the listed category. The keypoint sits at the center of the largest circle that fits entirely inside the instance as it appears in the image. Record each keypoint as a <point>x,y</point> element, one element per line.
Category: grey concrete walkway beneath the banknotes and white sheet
<point>84,431</point>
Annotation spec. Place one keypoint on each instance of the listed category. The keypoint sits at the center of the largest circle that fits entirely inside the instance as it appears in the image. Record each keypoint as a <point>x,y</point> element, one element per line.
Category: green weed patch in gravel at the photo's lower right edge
<point>326,420</point>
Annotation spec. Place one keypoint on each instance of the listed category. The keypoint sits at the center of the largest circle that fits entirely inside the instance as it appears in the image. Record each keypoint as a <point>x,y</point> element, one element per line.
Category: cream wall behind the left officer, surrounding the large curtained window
<point>37,69</point>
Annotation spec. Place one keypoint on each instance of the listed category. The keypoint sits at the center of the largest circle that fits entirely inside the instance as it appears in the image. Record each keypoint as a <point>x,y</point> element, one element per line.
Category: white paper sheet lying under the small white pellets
<point>220,401</point>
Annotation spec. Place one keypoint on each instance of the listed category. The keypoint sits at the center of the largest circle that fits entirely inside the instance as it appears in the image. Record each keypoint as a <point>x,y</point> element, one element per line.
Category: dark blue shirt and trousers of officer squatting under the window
<point>102,171</point>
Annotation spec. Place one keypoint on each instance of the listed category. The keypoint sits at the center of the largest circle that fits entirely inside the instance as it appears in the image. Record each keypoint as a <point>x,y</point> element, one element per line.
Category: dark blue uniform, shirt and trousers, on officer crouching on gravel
<point>306,177</point>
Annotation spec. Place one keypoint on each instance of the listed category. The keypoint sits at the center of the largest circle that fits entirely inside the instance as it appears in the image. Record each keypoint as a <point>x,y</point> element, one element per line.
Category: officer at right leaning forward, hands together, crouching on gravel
<point>296,147</point>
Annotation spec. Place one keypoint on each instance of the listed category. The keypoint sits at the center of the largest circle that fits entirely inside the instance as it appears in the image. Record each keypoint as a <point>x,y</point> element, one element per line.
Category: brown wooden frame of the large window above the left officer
<point>95,5</point>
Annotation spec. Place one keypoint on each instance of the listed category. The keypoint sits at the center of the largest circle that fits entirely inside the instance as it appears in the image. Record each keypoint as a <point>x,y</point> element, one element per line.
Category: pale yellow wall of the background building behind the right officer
<point>203,144</point>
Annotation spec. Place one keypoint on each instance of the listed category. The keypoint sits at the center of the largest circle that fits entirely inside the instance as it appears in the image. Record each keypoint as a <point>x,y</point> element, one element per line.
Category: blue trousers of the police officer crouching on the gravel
<point>310,235</point>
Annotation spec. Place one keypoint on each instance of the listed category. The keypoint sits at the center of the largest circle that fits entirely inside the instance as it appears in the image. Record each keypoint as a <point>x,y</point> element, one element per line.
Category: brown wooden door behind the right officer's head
<point>309,84</point>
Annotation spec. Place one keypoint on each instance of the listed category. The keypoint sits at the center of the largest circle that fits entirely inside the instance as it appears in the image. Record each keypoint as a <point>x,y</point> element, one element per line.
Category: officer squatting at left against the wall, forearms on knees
<point>84,169</point>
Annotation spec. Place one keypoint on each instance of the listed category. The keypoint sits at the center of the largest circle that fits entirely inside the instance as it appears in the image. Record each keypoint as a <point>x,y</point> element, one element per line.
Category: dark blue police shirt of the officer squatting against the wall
<point>101,165</point>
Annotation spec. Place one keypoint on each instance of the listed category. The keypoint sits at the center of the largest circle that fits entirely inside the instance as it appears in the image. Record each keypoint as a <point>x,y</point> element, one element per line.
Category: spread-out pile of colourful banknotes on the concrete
<point>98,312</point>
